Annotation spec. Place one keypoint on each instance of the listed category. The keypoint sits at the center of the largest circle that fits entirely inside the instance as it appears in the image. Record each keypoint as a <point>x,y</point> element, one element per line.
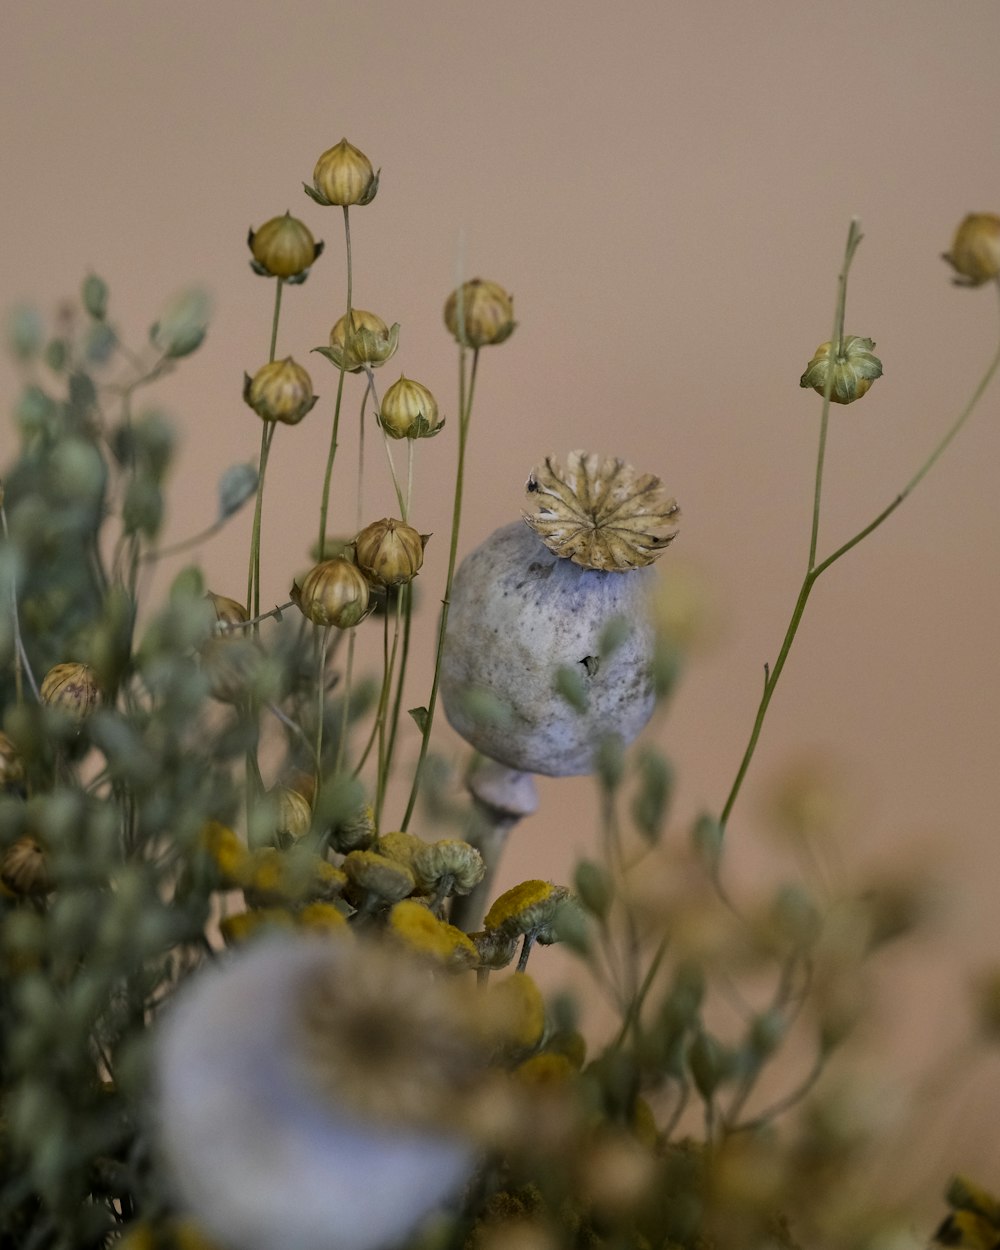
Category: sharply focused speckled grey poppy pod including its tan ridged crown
<point>546,658</point>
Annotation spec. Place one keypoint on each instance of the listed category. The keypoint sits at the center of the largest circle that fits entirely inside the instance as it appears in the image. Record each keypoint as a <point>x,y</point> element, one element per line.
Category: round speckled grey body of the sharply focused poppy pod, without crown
<point>521,616</point>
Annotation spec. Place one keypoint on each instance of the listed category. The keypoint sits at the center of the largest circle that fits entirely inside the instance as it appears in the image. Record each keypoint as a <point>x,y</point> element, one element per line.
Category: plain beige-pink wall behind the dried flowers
<point>666,187</point>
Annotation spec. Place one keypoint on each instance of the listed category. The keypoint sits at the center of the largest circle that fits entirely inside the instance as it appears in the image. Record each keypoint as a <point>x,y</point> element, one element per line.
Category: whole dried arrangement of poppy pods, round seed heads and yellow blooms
<point>246,1008</point>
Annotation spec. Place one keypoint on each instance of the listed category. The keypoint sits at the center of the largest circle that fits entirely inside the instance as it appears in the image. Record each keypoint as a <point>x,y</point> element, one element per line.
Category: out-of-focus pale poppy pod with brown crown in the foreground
<point>263,1116</point>
